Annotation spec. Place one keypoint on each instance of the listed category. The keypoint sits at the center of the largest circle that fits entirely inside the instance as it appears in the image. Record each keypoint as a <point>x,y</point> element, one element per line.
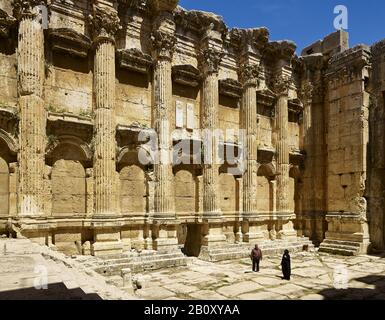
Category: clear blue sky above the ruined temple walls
<point>303,21</point>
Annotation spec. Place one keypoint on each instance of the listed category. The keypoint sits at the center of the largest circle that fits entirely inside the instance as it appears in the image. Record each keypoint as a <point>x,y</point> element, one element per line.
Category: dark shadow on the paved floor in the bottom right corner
<point>376,293</point>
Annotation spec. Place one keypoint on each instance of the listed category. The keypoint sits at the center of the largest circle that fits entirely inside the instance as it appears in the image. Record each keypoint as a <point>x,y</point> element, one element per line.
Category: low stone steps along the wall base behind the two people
<point>242,250</point>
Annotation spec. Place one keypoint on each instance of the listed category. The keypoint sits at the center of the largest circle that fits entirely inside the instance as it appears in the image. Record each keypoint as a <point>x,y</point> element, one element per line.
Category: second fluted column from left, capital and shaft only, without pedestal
<point>106,23</point>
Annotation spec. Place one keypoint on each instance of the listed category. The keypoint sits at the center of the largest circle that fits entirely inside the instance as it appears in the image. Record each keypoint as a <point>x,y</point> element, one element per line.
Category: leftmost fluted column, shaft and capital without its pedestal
<point>31,73</point>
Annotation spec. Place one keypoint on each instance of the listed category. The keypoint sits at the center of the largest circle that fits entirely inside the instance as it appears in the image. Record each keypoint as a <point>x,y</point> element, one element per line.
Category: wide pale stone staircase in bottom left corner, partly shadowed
<point>20,259</point>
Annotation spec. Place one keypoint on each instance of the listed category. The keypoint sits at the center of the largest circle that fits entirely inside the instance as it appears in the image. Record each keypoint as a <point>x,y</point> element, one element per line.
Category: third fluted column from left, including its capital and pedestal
<point>164,230</point>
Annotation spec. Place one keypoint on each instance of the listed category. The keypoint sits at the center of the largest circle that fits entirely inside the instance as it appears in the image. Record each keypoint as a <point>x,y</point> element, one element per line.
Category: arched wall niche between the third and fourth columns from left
<point>186,192</point>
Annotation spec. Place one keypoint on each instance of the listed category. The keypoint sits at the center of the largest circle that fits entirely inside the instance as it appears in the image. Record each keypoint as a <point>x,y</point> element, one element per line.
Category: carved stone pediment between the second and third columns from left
<point>134,60</point>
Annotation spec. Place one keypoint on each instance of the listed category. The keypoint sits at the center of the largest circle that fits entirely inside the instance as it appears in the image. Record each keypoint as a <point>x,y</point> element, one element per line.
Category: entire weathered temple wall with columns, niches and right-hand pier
<point>81,81</point>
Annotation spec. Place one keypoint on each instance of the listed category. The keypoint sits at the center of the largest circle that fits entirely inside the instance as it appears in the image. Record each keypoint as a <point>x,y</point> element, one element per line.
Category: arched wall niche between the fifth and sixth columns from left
<point>265,188</point>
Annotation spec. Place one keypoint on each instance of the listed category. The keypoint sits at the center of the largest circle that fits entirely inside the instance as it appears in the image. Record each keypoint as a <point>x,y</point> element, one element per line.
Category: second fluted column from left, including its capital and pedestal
<point>105,24</point>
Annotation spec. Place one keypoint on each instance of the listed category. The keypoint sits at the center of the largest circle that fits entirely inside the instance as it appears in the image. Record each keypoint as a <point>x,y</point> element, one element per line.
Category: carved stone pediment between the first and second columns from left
<point>69,41</point>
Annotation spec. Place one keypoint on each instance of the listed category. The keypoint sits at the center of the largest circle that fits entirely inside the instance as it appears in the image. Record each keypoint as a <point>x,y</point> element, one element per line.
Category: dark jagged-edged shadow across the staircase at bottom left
<point>56,291</point>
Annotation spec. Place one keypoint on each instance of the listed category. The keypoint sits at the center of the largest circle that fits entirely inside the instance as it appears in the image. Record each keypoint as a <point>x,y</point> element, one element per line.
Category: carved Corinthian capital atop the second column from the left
<point>105,22</point>
